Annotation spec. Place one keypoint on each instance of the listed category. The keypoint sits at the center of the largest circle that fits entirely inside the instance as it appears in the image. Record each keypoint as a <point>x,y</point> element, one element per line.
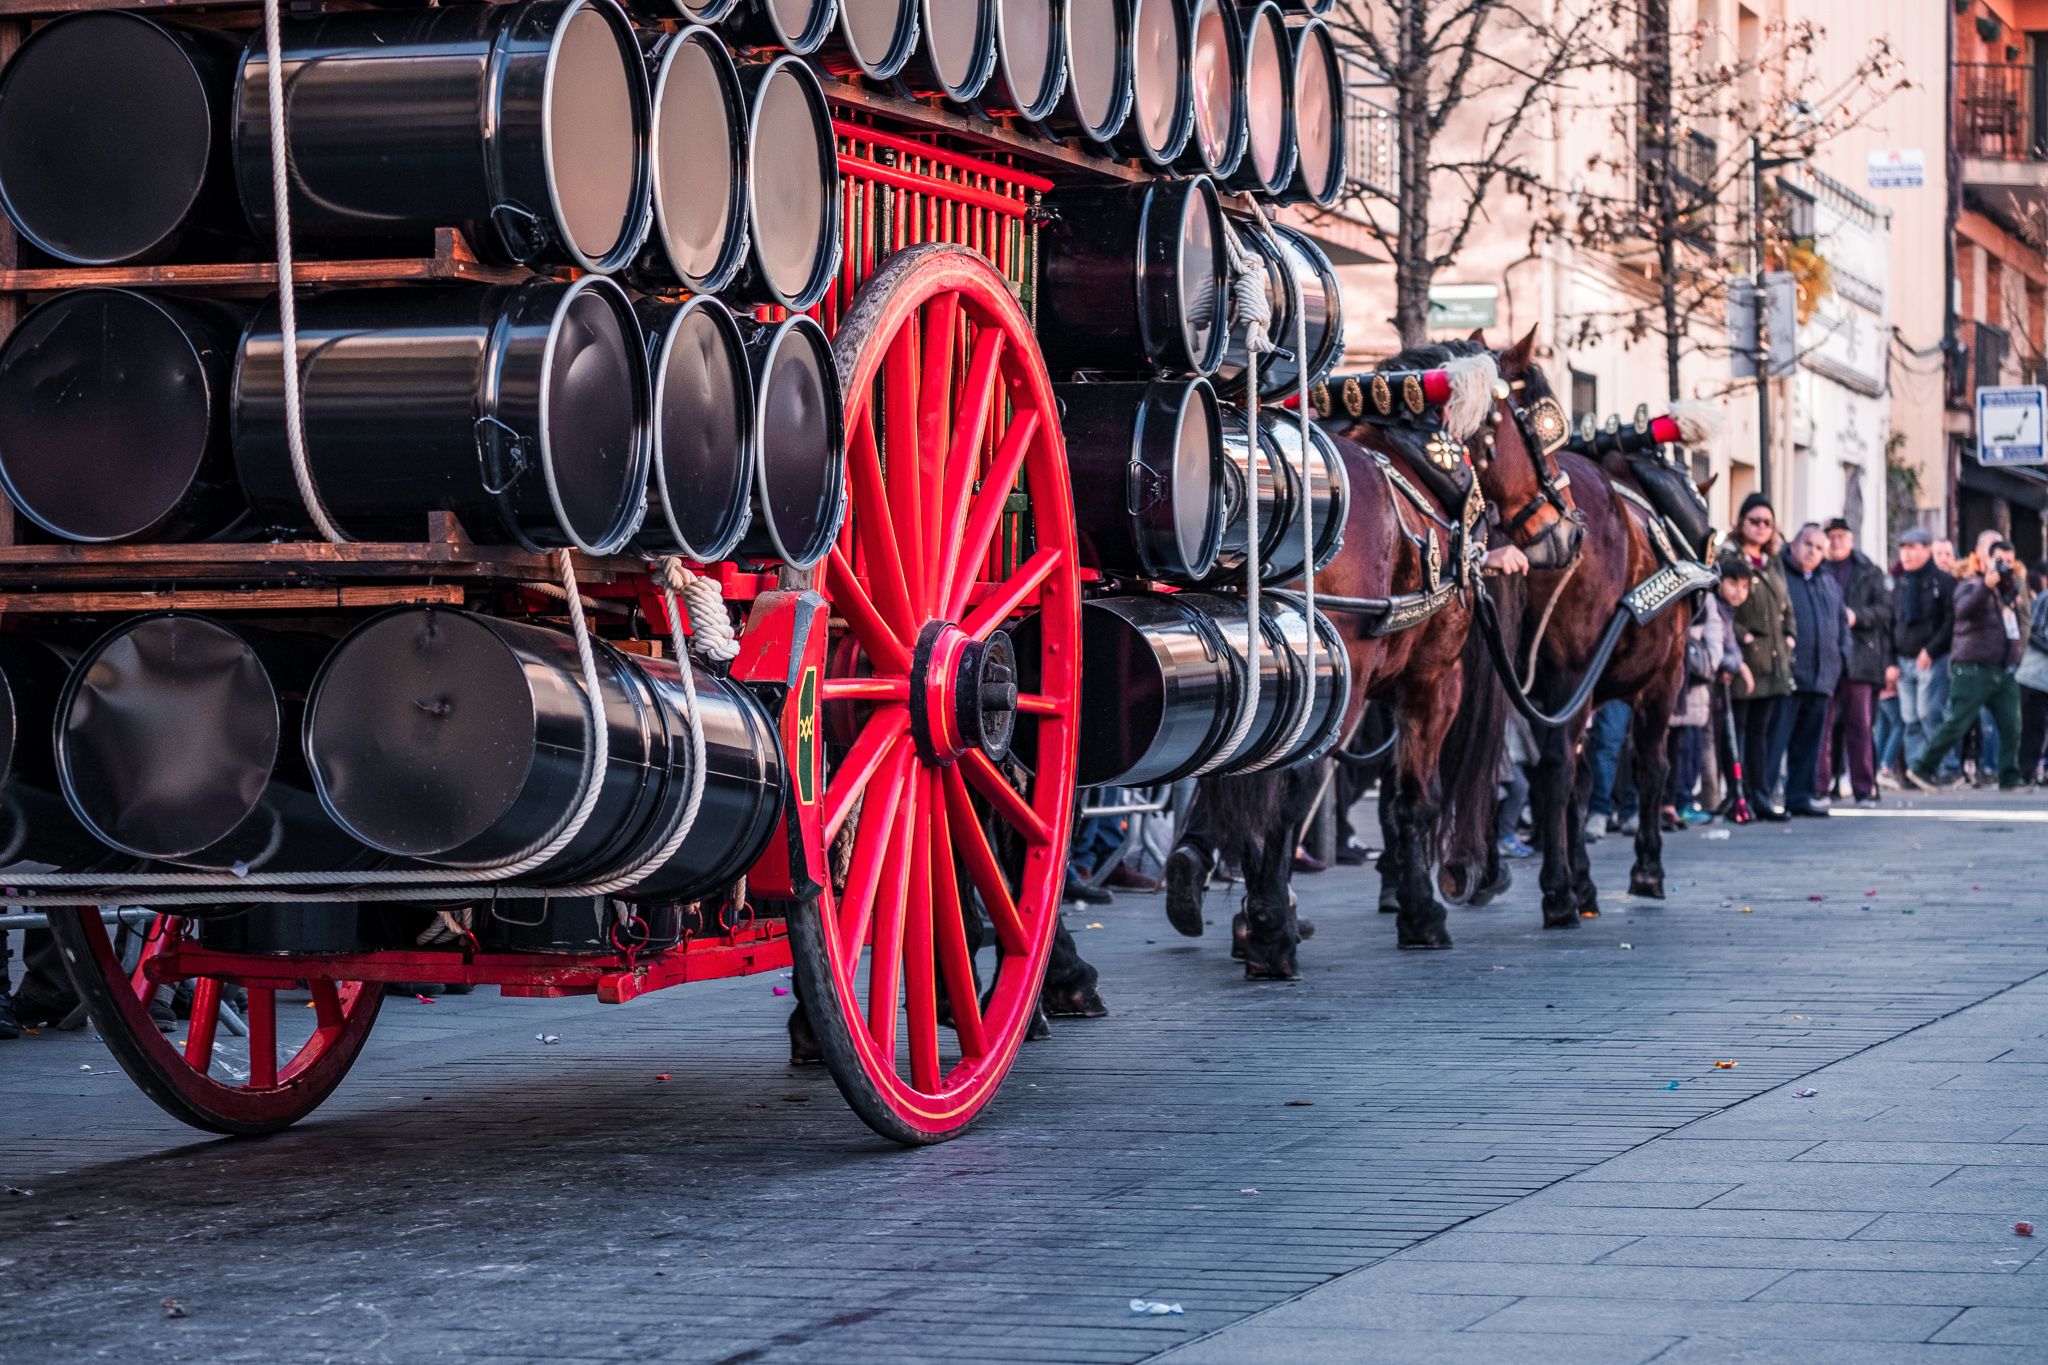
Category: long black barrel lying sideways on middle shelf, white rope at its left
<point>523,408</point>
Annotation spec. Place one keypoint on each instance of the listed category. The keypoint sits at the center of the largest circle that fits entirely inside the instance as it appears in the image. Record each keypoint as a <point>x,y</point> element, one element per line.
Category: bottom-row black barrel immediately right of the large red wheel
<point>1158,689</point>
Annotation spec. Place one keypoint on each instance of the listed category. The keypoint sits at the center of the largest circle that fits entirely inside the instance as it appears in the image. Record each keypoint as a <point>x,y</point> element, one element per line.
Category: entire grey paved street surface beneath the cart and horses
<point>1517,1151</point>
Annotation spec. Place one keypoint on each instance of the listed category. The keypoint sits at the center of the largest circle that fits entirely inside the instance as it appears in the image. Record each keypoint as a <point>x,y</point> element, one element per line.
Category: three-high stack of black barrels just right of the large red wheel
<point>1138,320</point>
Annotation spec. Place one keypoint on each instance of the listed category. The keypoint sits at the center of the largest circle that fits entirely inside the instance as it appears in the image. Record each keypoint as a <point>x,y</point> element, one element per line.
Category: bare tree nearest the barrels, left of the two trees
<point>1492,69</point>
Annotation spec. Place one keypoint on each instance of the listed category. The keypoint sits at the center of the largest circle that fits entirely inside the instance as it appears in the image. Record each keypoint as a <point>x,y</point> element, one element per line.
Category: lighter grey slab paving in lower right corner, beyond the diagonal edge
<point>1871,1223</point>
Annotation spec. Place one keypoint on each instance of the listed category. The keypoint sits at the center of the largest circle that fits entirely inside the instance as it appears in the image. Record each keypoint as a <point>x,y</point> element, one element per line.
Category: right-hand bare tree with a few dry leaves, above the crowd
<point>1693,120</point>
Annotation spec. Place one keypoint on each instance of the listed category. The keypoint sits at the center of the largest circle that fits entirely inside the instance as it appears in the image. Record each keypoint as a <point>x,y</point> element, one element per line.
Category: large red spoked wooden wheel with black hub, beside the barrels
<point>947,408</point>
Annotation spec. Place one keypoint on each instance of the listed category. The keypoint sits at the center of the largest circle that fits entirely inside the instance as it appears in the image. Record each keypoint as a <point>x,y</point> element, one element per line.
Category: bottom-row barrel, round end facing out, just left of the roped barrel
<point>177,740</point>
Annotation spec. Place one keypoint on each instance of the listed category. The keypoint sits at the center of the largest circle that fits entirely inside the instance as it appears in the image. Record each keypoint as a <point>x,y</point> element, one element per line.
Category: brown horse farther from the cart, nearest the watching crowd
<point>1570,609</point>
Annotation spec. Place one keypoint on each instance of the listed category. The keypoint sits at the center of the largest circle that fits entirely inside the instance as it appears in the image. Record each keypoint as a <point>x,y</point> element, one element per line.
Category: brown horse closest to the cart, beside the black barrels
<point>1400,541</point>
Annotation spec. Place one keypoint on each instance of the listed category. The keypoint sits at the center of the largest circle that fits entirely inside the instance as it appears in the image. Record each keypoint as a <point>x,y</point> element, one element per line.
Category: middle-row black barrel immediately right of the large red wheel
<point>1148,476</point>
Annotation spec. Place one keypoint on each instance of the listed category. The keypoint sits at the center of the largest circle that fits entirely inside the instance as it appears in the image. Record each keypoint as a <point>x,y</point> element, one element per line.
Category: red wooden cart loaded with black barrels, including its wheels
<point>640,543</point>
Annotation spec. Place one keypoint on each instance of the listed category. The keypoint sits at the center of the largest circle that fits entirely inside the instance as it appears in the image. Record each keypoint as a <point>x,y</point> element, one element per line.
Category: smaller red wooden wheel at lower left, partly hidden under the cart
<point>286,1080</point>
